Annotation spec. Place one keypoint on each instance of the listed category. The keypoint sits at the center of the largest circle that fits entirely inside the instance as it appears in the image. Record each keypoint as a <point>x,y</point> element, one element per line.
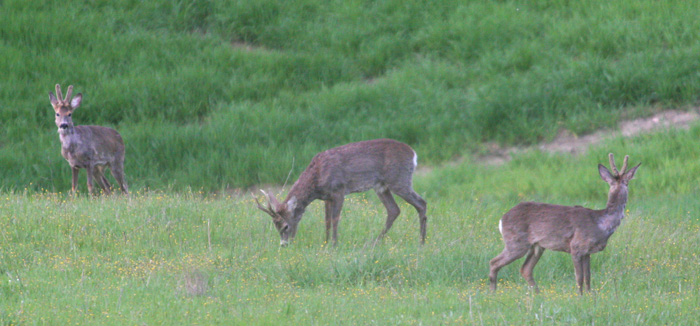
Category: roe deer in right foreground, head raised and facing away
<point>530,228</point>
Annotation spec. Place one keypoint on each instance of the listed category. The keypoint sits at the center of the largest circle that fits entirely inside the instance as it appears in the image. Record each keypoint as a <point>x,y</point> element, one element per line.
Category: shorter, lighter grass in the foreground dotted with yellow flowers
<point>196,258</point>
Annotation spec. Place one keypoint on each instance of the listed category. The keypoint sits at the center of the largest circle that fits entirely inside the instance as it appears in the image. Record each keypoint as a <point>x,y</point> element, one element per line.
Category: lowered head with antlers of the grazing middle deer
<point>284,216</point>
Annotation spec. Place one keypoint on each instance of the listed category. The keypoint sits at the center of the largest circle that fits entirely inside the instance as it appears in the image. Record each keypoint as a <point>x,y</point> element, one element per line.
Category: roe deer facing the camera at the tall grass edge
<point>88,147</point>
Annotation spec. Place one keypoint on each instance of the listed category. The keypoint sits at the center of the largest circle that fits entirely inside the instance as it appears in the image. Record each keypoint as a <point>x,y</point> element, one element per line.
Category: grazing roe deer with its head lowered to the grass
<point>384,165</point>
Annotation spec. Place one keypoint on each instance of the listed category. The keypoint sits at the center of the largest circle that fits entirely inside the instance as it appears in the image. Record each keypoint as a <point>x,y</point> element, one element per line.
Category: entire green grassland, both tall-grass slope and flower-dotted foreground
<point>216,97</point>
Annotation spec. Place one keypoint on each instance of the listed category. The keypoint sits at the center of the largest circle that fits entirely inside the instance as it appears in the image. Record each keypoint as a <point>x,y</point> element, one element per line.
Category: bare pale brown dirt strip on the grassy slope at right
<point>566,142</point>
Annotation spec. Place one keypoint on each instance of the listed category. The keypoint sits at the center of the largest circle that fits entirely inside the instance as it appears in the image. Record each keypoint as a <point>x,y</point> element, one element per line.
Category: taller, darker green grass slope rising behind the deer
<point>211,94</point>
